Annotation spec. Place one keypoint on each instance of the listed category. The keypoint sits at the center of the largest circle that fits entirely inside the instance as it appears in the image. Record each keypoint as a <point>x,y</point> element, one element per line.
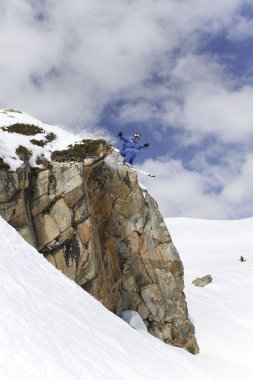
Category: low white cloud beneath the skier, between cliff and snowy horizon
<point>180,192</point>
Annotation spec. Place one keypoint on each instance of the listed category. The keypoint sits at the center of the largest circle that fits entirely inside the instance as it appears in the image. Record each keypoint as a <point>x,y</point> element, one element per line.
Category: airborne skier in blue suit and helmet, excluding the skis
<point>131,148</point>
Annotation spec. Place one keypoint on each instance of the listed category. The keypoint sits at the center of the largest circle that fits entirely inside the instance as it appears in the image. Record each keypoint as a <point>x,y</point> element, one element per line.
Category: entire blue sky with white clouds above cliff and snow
<point>178,71</point>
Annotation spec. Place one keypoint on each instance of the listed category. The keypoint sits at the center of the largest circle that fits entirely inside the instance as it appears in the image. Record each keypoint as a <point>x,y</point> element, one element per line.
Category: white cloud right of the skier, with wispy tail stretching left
<point>197,97</point>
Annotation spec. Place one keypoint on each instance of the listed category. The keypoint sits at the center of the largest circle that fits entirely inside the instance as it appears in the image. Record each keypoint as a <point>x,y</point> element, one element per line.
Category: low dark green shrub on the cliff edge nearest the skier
<point>78,152</point>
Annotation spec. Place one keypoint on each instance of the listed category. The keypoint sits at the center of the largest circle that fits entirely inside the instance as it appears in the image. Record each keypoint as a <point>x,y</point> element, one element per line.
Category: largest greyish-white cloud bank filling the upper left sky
<point>100,49</point>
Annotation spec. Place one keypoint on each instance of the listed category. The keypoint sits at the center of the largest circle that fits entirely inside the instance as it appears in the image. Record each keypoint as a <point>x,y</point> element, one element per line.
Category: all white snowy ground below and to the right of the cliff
<point>51,329</point>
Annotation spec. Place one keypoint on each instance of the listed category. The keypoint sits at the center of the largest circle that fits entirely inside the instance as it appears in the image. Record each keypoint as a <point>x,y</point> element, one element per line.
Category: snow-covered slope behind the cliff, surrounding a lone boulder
<point>223,311</point>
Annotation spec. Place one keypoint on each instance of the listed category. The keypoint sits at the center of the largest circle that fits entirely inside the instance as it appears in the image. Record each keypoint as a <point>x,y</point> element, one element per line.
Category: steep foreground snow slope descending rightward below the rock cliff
<point>52,329</point>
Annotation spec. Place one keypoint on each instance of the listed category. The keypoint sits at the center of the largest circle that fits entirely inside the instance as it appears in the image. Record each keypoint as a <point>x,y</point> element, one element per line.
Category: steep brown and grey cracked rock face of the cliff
<point>96,225</point>
